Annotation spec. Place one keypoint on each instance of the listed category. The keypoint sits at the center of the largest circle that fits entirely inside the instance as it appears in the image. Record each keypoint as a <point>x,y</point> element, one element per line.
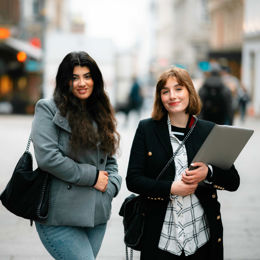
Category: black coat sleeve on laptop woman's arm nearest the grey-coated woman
<point>137,179</point>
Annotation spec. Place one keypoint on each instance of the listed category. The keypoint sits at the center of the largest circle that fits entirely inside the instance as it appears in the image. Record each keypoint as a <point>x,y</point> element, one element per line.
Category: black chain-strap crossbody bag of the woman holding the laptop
<point>133,210</point>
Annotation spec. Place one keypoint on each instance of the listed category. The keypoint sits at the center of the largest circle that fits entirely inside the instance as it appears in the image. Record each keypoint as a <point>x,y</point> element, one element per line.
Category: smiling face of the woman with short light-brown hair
<point>175,98</point>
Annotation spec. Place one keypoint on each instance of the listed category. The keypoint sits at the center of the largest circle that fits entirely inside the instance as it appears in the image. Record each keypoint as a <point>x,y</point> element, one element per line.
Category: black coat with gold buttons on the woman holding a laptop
<point>151,149</point>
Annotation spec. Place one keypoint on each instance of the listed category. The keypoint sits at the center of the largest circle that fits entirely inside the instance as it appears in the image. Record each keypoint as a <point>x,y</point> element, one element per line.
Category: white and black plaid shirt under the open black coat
<point>185,227</point>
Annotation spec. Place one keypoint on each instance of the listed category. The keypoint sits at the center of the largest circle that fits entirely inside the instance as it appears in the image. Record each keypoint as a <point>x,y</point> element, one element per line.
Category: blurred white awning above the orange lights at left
<point>20,45</point>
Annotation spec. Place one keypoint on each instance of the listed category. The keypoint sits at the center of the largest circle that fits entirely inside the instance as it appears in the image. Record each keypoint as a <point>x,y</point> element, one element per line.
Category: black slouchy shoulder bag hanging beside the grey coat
<point>27,192</point>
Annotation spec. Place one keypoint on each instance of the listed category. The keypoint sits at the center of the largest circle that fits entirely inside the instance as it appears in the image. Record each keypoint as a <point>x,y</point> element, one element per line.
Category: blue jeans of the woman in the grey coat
<point>71,243</point>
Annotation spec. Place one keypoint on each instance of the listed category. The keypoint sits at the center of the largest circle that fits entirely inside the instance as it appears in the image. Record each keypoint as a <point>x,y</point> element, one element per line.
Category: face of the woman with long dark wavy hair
<point>82,83</point>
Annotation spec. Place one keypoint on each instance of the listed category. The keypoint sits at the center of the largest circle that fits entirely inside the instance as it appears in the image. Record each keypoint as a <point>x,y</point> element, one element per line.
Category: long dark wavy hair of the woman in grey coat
<point>91,124</point>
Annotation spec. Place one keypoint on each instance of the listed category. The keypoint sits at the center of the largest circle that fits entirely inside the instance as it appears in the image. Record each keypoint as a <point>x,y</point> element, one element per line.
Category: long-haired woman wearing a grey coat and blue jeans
<point>75,139</point>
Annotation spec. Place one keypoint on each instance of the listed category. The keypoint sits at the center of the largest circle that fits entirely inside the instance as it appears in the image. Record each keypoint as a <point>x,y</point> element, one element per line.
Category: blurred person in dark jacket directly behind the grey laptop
<point>216,99</point>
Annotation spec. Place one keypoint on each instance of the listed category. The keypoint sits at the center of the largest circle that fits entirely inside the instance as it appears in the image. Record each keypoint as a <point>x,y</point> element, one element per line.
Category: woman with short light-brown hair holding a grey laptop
<point>182,218</point>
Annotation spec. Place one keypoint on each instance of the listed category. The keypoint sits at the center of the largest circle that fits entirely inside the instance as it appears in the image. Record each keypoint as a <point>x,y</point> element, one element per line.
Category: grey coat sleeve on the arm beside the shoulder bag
<point>48,156</point>
